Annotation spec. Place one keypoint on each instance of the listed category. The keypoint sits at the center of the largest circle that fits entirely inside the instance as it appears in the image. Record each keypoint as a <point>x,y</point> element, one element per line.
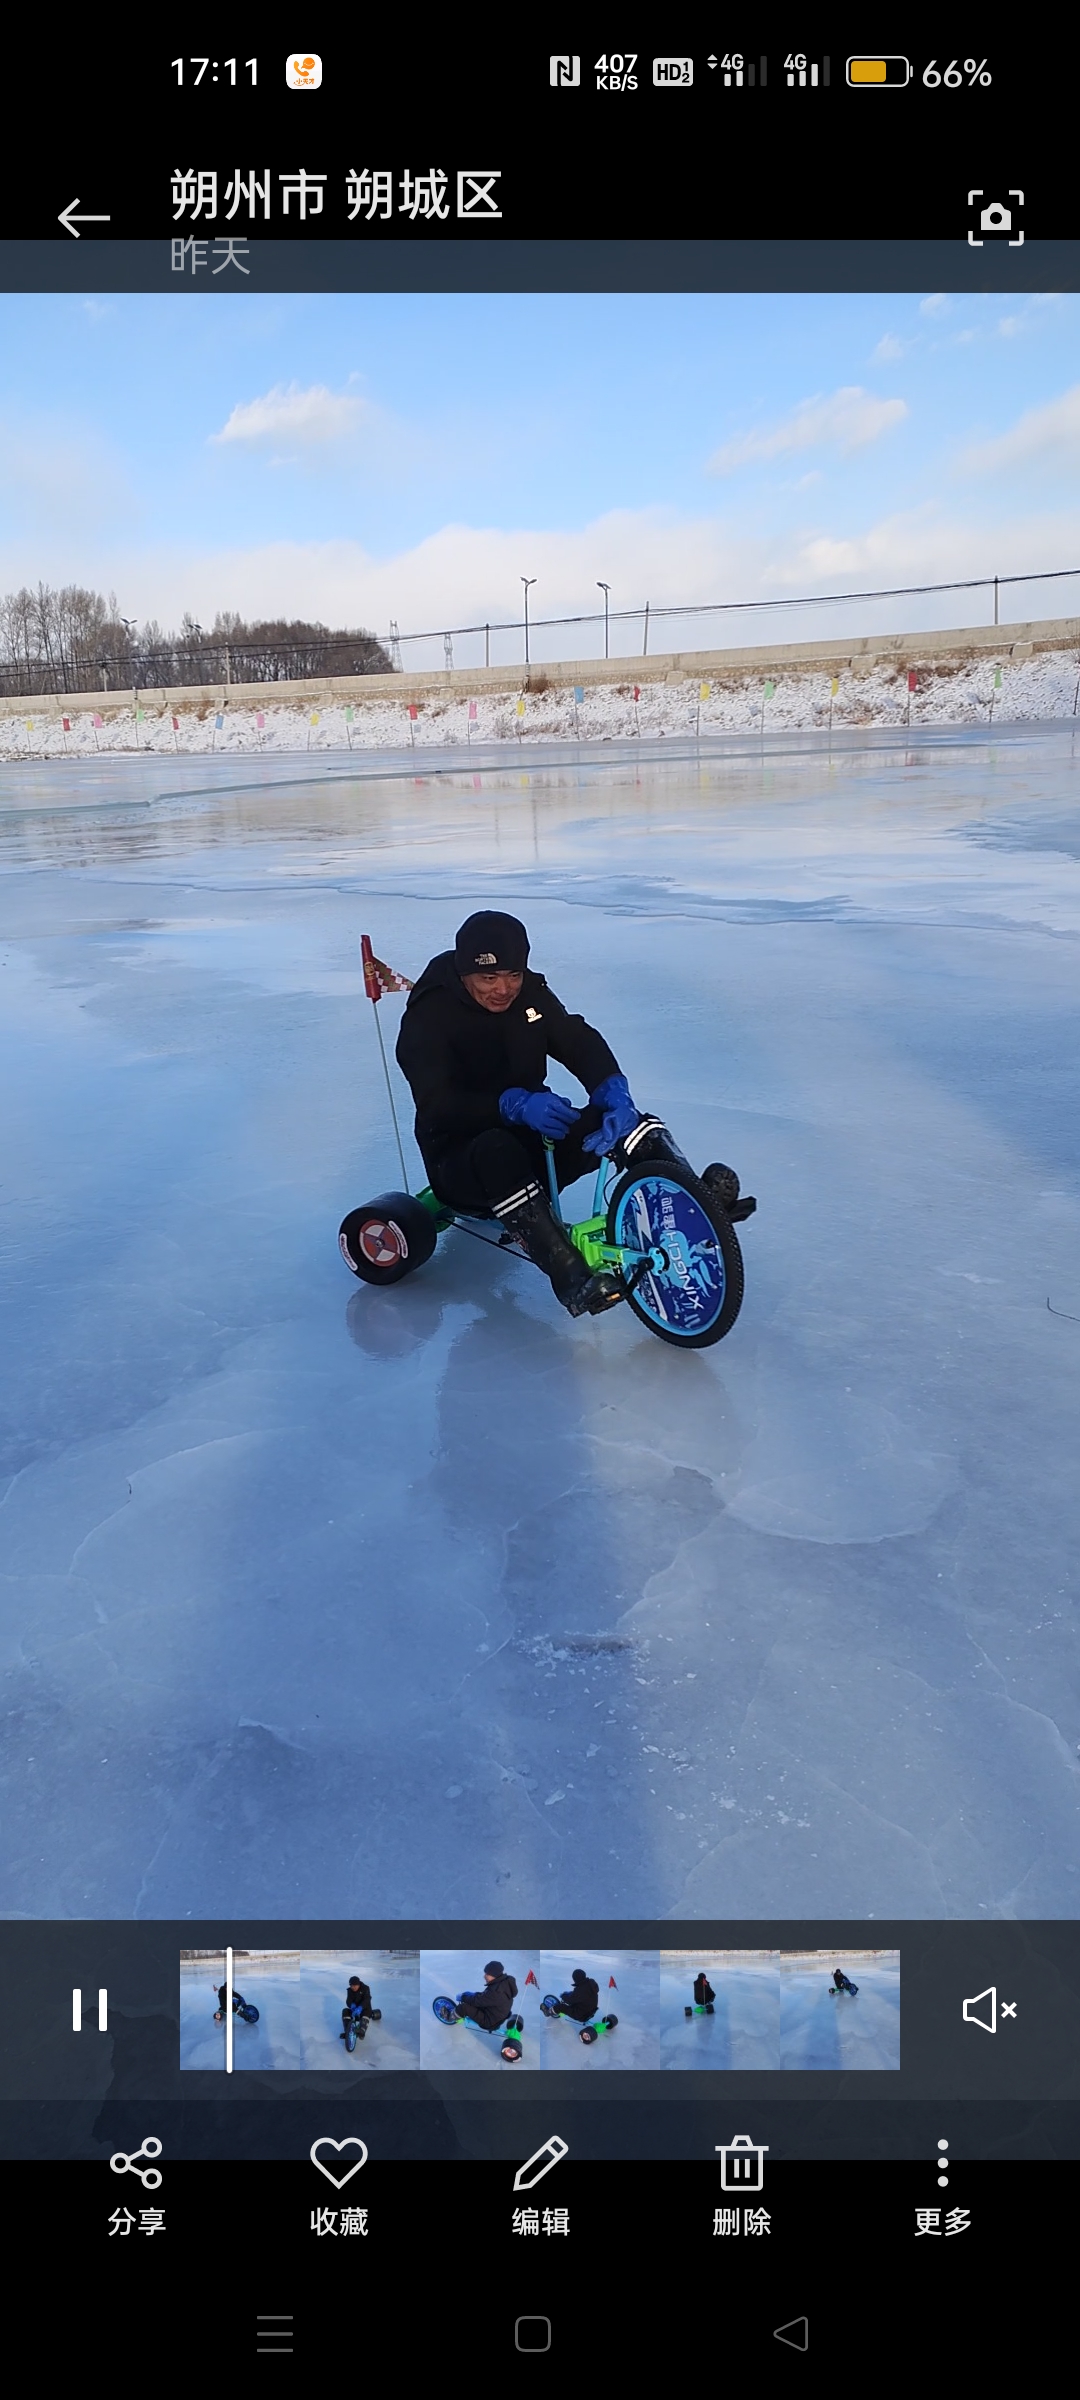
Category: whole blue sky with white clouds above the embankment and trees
<point>371,457</point>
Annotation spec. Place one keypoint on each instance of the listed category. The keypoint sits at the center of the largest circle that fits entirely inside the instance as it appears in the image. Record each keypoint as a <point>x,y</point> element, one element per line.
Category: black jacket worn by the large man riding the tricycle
<point>460,1057</point>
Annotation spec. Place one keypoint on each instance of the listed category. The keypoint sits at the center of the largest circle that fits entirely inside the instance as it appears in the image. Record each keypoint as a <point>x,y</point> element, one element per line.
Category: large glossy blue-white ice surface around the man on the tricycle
<point>325,1602</point>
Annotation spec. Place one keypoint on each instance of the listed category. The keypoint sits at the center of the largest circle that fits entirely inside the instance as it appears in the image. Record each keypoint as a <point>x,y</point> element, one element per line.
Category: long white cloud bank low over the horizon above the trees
<point>469,575</point>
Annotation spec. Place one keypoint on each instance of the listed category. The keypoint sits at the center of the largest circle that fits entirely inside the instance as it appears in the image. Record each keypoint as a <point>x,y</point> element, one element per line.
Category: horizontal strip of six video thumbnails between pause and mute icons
<point>277,2010</point>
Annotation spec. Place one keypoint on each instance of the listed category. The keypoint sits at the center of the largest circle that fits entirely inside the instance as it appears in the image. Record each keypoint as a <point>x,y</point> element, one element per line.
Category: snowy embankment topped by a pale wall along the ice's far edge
<point>980,676</point>
